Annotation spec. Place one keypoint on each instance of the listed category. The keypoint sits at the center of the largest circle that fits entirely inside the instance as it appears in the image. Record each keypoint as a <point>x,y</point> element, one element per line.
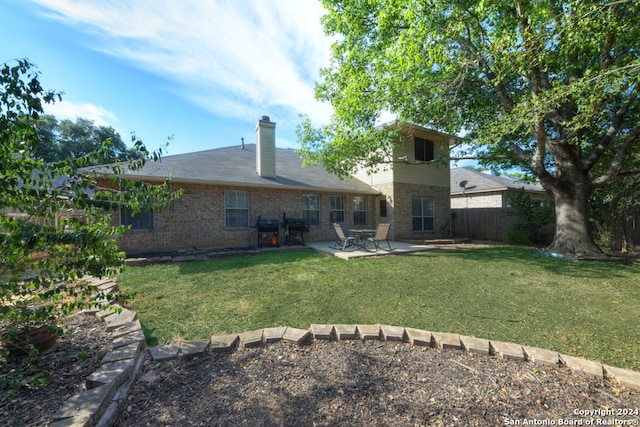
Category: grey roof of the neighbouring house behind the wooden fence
<point>478,182</point>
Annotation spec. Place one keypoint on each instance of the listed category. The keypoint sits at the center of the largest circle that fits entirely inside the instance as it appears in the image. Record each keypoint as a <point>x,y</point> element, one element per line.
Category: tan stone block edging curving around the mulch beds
<point>108,387</point>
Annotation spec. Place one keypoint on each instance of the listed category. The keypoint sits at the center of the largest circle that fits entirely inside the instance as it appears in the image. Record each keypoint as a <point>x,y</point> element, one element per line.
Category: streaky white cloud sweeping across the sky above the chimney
<point>232,57</point>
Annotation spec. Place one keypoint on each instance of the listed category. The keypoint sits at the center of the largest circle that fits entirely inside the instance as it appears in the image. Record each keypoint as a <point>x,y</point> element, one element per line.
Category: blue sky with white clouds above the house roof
<point>200,71</point>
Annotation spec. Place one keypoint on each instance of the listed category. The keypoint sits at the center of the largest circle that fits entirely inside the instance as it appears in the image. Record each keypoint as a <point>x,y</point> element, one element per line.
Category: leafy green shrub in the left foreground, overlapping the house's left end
<point>55,225</point>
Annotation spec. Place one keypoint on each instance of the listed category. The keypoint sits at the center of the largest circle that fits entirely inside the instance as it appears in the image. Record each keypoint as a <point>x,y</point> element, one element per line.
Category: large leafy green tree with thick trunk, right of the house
<point>547,86</point>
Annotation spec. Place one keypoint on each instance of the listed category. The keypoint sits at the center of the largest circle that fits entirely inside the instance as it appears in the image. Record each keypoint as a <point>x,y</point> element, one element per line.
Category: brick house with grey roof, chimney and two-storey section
<point>226,190</point>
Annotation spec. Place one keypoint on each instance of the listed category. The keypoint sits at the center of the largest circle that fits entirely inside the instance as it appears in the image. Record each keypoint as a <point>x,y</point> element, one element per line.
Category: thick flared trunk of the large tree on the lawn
<point>572,234</point>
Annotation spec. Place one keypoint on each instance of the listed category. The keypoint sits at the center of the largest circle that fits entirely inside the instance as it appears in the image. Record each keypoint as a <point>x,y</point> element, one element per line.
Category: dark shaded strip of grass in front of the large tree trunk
<point>517,254</point>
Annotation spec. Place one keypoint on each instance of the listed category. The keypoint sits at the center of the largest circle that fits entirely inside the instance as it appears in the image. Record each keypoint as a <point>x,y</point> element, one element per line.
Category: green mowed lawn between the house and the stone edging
<point>589,309</point>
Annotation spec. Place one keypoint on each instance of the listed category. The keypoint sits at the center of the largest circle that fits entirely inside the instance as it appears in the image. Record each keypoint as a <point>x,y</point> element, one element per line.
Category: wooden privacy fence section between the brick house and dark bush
<point>481,223</point>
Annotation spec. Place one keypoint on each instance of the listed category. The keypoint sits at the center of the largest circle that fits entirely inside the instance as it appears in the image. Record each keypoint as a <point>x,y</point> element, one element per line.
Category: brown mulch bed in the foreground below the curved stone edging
<point>349,383</point>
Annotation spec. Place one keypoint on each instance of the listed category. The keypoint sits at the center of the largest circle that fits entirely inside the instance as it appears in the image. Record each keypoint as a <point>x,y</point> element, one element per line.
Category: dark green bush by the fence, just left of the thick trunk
<point>533,215</point>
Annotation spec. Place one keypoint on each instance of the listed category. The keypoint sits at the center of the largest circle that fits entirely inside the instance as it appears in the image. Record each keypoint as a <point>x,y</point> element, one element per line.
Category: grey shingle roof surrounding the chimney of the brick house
<point>237,166</point>
